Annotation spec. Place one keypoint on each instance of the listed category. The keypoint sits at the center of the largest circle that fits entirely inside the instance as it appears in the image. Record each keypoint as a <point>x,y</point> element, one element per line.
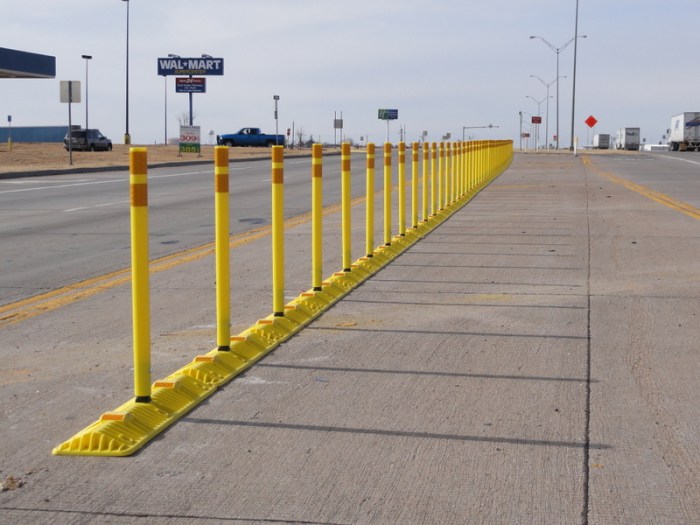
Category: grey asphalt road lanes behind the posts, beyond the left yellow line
<point>62,229</point>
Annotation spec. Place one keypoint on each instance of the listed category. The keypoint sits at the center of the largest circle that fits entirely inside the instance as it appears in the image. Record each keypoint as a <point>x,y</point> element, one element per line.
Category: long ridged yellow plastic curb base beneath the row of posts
<point>128,428</point>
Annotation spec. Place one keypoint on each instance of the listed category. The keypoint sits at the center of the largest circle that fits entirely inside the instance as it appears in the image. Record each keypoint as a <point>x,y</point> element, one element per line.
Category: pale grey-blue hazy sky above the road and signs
<point>446,65</point>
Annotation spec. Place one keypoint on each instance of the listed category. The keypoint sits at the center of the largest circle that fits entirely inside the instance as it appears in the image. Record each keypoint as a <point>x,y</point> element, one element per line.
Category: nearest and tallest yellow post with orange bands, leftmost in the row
<point>138,185</point>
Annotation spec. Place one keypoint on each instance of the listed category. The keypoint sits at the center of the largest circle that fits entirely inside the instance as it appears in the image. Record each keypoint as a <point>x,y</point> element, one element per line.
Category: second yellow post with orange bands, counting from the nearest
<point>223,259</point>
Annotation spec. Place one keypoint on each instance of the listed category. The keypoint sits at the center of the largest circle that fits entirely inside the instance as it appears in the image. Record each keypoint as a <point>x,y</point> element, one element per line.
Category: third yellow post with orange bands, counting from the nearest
<point>278,231</point>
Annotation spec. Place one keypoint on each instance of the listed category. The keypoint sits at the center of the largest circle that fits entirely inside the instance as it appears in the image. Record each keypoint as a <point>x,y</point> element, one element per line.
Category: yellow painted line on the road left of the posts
<point>72,293</point>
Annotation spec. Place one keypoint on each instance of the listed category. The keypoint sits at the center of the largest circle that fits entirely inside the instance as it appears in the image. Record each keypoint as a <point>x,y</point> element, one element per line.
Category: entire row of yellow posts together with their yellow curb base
<point>451,174</point>
